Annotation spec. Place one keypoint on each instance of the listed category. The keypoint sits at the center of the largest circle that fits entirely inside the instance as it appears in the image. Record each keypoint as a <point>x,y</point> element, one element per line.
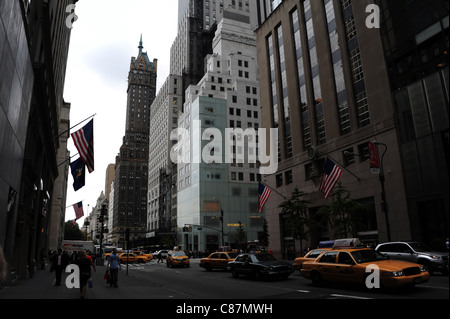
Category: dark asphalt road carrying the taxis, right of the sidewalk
<point>196,283</point>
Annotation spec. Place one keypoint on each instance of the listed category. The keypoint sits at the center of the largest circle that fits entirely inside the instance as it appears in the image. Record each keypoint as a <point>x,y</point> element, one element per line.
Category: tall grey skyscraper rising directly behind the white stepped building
<point>197,24</point>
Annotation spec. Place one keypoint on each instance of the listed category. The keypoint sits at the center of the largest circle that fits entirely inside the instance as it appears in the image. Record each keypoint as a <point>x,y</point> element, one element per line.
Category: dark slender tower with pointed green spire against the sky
<point>130,193</point>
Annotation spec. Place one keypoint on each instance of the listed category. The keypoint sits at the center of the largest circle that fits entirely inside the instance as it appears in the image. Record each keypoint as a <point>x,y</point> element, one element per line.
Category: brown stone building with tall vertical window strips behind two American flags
<point>324,86</point>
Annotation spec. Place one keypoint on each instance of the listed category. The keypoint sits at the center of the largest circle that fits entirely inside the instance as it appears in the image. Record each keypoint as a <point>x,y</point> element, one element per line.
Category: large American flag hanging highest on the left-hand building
<point>84,142</point>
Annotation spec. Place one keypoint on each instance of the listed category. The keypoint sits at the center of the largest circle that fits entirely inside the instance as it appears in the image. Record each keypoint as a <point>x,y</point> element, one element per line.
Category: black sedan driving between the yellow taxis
<point>260,265</point>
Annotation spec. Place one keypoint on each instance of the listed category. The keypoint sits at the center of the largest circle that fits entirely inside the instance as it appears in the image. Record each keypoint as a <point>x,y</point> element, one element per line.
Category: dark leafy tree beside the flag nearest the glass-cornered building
<point>297,210</point>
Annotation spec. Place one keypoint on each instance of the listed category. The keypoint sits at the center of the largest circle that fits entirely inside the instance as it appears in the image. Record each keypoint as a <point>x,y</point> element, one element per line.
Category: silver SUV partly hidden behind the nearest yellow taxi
<point>416,252</point>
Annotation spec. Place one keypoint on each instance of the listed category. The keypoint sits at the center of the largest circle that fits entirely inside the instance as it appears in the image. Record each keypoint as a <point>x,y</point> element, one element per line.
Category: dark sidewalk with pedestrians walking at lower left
<point>41,287</point>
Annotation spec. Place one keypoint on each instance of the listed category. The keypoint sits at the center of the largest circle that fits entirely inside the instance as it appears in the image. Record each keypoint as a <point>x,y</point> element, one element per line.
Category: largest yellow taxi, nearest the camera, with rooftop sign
<point>347,263</point>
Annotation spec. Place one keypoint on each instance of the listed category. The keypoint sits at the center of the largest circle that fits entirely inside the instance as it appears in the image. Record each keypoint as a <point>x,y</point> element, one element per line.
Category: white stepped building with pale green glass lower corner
<point>218,198</point>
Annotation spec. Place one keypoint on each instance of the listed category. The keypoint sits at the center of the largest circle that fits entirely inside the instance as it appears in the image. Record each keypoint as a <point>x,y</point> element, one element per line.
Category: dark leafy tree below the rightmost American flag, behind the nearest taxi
<point>342,212</point>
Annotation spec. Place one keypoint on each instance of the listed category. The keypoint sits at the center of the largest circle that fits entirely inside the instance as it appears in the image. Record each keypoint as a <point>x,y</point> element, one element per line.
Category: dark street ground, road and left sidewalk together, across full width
<point>157,281</point>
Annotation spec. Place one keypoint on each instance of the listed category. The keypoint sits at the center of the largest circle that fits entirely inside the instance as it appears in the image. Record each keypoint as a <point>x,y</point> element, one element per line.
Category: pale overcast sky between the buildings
<point>104,38</point>
